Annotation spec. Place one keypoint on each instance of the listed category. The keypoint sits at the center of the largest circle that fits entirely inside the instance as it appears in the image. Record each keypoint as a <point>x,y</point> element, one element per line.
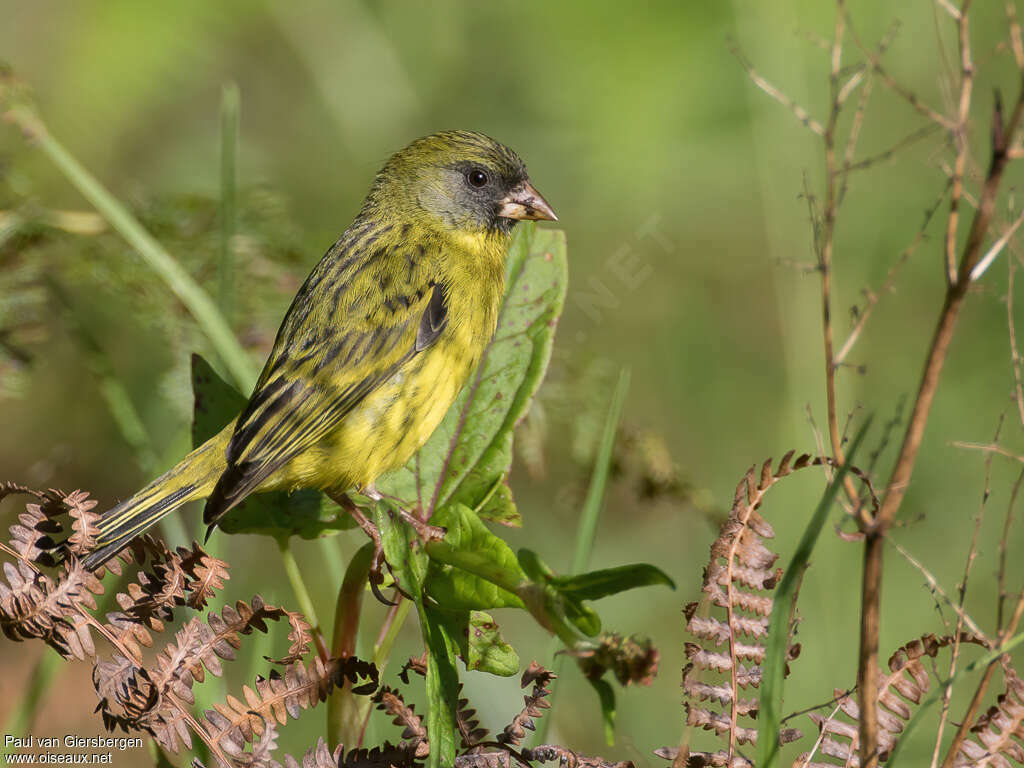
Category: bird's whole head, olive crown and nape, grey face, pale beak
<point>461,182</point>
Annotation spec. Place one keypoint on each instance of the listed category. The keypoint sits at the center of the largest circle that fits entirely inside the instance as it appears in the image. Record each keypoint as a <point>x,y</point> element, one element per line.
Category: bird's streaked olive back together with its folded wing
<point>318,372</point>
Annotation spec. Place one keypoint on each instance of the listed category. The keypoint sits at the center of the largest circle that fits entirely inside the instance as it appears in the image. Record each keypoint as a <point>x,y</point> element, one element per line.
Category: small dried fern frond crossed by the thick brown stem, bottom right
<point>907,685</point>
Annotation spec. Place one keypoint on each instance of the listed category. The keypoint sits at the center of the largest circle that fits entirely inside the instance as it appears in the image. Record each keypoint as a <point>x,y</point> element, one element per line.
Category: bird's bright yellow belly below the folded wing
<point>391,425</point>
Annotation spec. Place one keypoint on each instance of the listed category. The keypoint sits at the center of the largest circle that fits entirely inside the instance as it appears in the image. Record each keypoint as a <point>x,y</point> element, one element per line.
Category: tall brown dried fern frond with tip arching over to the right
<point>738,581</point>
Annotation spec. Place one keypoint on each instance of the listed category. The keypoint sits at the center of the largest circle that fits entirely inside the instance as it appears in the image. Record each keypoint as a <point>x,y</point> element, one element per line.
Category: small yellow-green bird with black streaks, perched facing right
<point>376,346</point>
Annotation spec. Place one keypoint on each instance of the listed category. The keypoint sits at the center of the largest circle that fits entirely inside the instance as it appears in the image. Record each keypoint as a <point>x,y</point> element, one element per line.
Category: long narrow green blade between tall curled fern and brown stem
<point>774,670</point>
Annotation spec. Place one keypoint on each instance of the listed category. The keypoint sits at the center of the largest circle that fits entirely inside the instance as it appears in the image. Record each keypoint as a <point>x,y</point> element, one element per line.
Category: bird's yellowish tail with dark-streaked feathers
<point>194,478</point>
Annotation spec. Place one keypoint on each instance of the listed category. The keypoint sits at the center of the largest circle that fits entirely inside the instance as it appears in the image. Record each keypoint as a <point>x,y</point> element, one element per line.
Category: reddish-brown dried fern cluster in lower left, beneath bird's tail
<point>156,697</point>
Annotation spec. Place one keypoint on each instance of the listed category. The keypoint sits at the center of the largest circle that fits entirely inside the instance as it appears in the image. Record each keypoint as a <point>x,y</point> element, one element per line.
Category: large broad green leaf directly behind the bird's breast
<point>468,455</point>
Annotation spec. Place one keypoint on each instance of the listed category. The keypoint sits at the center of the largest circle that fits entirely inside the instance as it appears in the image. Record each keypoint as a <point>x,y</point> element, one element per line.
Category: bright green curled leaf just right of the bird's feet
<point>456,588</point>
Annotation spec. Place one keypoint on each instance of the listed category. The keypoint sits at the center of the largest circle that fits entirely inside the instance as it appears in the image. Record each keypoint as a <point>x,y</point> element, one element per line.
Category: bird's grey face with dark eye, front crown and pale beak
<point>479,185</point>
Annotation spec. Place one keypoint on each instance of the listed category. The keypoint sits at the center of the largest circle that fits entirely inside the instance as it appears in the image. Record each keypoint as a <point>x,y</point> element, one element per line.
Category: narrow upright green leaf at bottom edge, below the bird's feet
<point>443,689</point>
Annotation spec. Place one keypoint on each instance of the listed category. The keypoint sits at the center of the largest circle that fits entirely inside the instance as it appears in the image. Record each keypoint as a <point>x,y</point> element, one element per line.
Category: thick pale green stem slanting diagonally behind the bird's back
<point>196,301</point>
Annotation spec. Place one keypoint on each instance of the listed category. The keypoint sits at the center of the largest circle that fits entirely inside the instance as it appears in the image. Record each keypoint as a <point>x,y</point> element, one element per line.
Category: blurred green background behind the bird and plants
<point>679,185</point>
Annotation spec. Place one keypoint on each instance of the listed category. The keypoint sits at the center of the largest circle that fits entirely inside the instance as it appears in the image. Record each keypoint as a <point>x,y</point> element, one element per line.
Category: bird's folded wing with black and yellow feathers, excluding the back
<point>320,370</point>
